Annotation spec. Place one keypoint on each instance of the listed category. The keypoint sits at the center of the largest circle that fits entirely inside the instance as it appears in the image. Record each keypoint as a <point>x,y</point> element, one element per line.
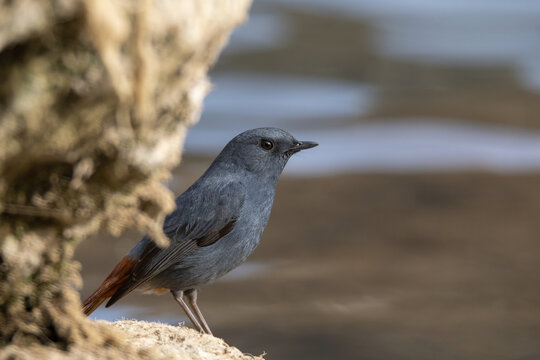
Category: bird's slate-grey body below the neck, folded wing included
<point>233,209</point>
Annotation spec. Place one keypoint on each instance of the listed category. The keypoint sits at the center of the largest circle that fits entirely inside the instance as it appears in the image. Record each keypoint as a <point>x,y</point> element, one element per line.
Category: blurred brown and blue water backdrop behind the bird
<point>412,231</point>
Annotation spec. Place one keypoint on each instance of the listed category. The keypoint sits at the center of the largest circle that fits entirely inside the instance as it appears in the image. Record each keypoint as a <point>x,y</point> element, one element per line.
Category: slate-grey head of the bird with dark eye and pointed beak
<point>263,151</point>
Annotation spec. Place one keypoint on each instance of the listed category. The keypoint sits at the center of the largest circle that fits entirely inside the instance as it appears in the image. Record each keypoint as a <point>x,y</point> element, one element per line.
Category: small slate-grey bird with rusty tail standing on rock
<point>216,225</point>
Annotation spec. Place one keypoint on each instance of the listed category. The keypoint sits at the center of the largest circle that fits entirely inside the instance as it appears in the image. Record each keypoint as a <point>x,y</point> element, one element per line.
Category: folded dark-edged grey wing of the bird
<point>201,219</point>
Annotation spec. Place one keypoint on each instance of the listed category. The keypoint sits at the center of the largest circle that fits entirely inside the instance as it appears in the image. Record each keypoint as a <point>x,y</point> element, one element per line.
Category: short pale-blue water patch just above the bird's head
<point>239,99</point>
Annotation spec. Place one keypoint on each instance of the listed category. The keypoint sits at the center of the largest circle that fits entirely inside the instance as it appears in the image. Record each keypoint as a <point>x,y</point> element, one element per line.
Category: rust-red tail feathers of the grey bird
<point>116,278</point>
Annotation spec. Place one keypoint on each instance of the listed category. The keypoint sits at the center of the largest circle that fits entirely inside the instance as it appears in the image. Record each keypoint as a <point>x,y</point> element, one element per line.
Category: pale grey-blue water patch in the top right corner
<point>449,31</point>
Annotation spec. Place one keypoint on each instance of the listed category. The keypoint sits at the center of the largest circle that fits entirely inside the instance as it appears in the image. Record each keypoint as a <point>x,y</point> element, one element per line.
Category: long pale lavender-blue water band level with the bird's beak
<point>410,145</point>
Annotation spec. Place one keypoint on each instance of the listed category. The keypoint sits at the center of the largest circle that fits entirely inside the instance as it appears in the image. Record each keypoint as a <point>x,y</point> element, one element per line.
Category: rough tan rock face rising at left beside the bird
<point>95,100</point>
